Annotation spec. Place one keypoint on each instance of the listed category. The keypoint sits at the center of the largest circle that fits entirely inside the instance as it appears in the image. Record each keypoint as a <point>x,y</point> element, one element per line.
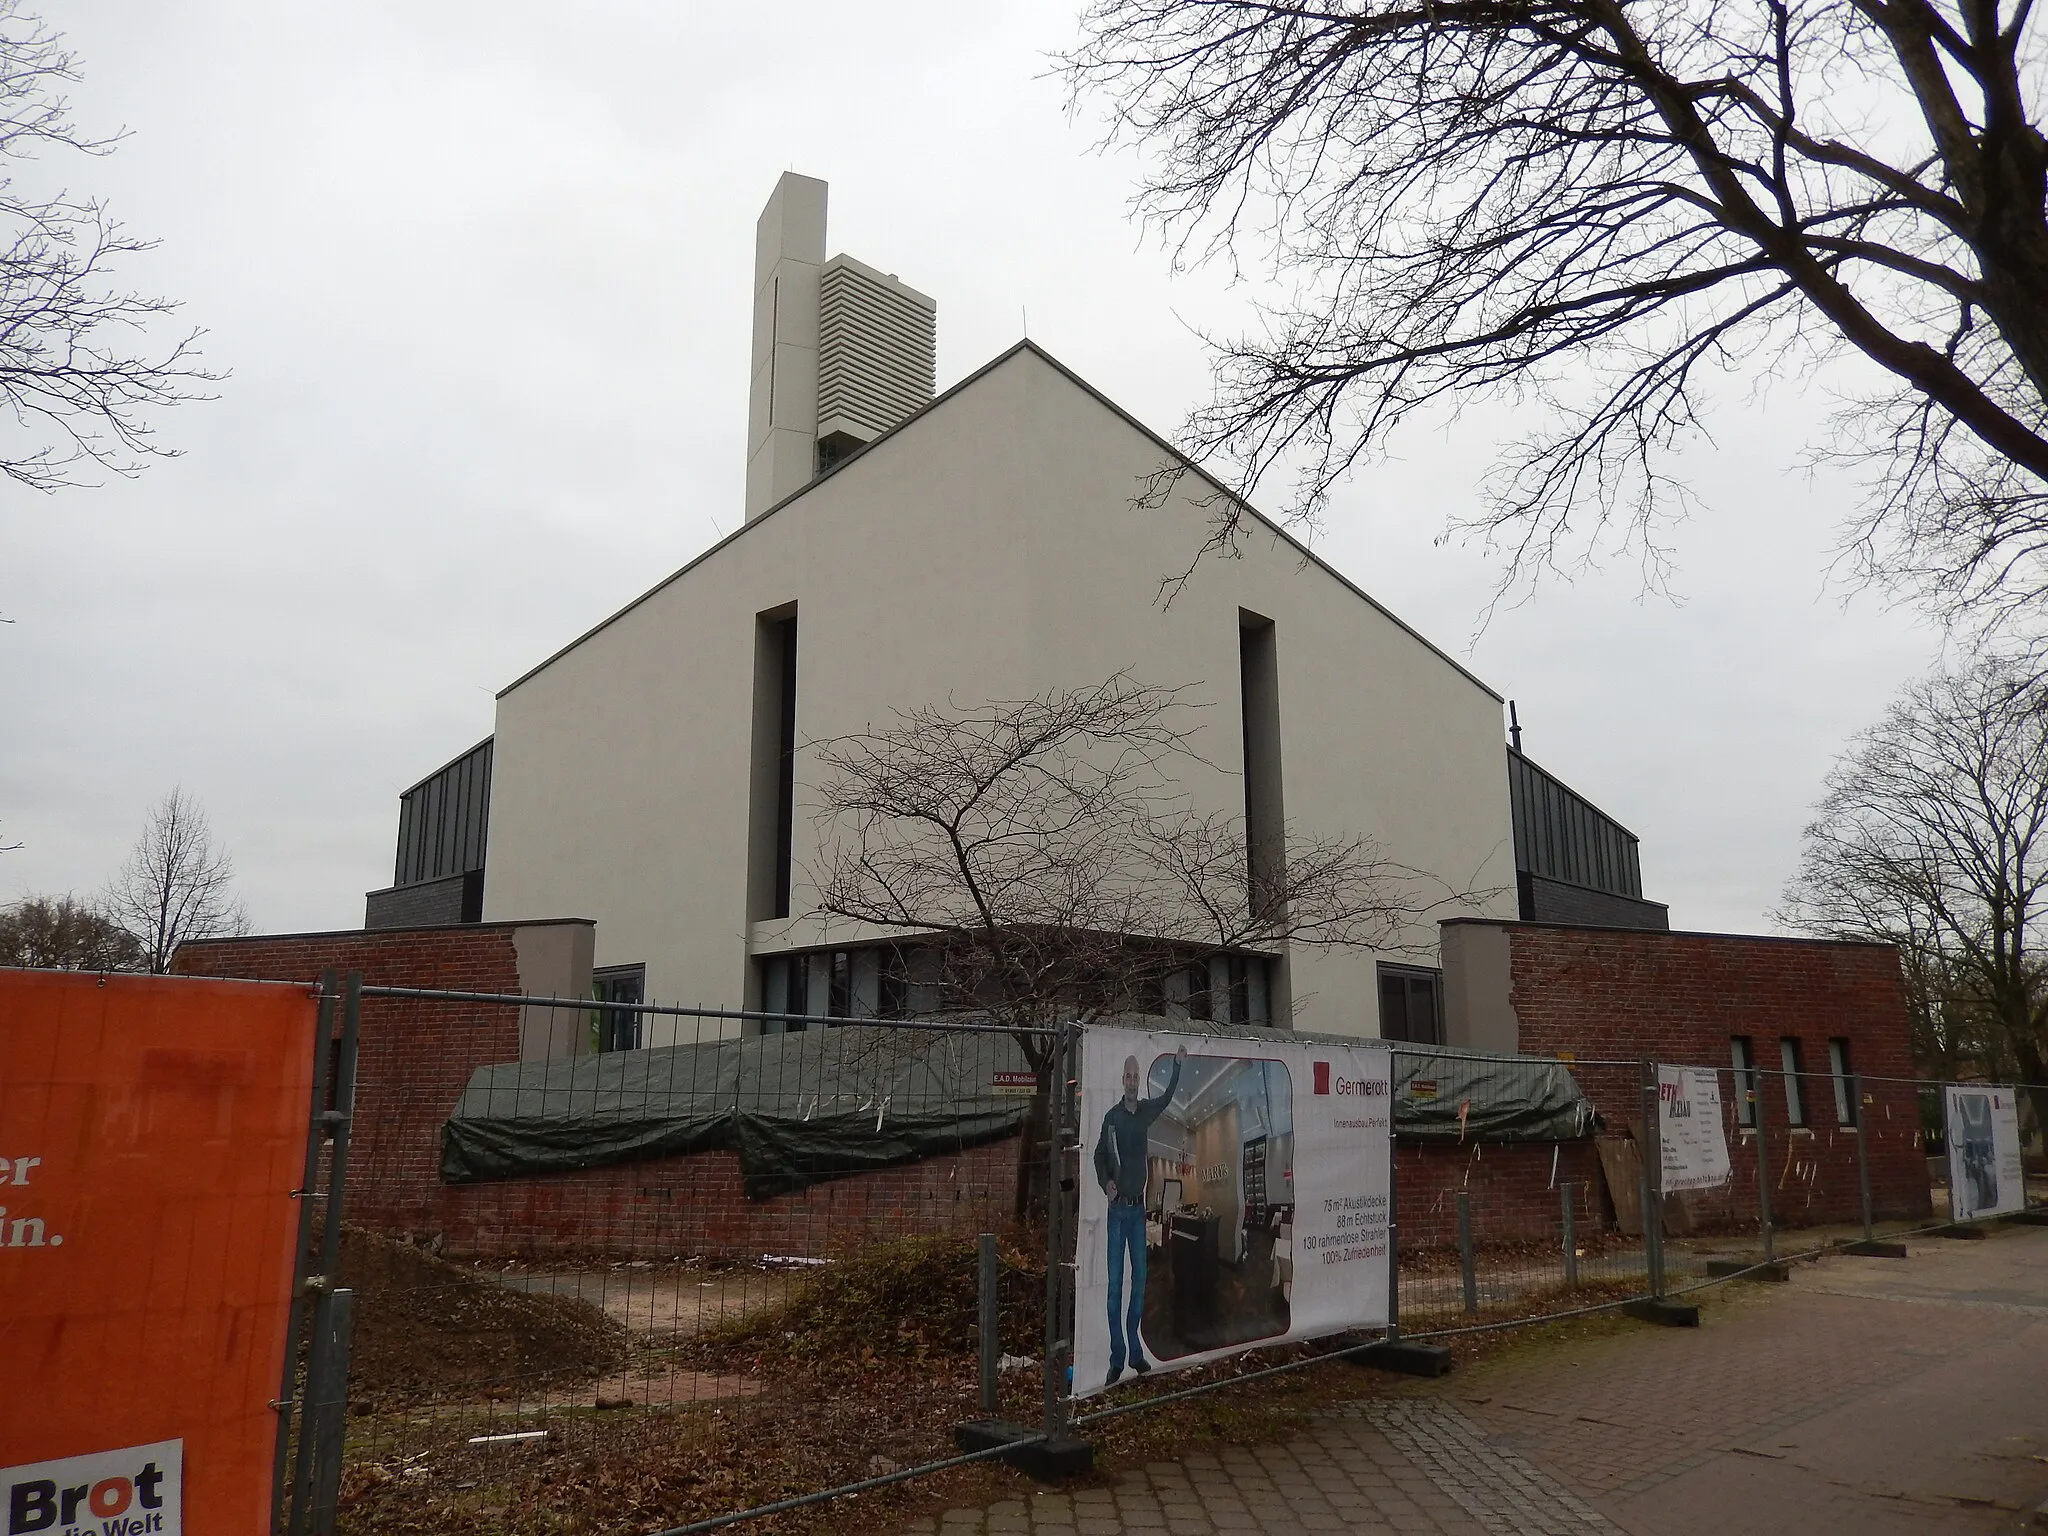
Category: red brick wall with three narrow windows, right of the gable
<point>1621,996</point>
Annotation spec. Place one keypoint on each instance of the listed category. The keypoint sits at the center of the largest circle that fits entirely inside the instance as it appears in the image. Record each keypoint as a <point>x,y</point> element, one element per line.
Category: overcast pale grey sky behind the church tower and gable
<point>480,275</point>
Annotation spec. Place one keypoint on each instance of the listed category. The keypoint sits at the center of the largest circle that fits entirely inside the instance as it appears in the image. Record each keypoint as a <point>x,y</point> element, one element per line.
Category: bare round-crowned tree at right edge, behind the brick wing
<point>1934,837</point>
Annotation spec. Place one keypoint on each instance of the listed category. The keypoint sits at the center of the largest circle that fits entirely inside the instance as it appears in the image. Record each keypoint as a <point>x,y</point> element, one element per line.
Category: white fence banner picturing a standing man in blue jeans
<point>1234,1193</point>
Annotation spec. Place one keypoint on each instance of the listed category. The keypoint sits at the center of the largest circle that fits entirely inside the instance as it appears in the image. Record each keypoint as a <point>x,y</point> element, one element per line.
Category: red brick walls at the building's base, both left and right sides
<point>1601,994</point>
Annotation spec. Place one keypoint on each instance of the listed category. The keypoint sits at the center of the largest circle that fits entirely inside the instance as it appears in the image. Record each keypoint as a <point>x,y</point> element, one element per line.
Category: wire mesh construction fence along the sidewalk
<point>742,1263</point>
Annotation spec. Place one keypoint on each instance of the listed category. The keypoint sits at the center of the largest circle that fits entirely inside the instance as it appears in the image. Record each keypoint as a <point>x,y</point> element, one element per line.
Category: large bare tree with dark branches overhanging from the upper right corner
<point>1590,210</point>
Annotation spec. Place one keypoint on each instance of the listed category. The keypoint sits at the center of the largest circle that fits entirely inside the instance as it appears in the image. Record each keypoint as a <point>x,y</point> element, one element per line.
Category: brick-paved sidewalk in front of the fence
<point>1867,1396</point>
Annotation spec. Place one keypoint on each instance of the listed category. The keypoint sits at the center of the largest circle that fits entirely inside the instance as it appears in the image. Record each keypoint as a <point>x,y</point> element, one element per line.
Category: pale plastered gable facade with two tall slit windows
<point>988,548</point>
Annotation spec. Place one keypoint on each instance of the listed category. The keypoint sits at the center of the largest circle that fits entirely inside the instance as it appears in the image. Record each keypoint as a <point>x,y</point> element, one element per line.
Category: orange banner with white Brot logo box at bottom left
<point>153,1132</point>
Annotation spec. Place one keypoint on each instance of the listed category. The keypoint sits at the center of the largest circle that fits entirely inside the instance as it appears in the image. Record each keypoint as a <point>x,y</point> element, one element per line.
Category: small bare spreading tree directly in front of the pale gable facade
<point>1052,867</point>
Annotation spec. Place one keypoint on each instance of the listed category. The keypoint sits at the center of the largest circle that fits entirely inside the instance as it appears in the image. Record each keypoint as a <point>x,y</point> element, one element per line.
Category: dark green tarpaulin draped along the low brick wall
<point>802,1109</point>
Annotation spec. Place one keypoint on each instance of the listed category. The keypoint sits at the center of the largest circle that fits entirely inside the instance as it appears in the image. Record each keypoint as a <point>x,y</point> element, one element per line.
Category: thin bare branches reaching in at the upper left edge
<point>73,366</point>
